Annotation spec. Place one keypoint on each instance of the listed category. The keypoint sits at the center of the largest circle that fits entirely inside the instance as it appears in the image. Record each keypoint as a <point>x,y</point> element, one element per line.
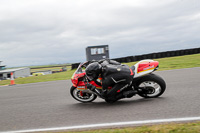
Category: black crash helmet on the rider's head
<point>93,70</point>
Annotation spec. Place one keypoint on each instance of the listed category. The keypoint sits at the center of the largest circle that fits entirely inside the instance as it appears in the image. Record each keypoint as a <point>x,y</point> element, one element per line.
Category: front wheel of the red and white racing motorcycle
<point>84,97</point>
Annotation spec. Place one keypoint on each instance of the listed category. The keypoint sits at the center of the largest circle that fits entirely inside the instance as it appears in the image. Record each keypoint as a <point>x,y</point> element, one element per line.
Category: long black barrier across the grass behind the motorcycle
<point>152,56</point>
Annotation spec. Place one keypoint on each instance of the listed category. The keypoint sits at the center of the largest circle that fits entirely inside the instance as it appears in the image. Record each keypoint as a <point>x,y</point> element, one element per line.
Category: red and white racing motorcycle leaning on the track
<point>145,83</point>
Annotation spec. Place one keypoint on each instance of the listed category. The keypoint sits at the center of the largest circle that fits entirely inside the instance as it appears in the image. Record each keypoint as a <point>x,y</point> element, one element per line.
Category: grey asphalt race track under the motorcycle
<point>49,104</point>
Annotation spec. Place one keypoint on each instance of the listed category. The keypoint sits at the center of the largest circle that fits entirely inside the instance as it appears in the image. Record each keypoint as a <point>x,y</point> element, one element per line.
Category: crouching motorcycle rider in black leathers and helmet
<point>114,75</point>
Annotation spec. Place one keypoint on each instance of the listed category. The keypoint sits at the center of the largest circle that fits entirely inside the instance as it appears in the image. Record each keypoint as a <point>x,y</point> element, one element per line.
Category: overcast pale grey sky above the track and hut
<point>37,32</point>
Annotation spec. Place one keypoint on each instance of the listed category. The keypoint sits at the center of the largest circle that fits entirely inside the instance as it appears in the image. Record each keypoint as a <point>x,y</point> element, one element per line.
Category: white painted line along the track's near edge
<point>108,125</point>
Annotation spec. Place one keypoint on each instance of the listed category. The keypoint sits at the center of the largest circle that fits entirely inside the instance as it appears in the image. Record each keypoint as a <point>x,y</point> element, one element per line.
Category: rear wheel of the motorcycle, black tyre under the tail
<point>151,86</point>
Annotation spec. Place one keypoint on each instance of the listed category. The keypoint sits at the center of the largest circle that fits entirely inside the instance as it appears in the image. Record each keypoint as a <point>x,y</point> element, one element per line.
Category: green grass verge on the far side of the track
<point>178,62</point>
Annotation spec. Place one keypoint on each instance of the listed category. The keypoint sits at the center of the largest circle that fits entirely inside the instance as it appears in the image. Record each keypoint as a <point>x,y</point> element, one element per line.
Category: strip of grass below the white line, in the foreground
<point>193,127</point>
